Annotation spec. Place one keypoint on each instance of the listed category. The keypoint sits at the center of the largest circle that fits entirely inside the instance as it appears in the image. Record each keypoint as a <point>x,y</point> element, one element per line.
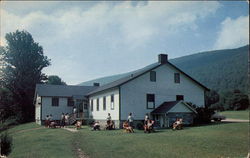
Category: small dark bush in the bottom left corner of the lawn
<point>6,144</point>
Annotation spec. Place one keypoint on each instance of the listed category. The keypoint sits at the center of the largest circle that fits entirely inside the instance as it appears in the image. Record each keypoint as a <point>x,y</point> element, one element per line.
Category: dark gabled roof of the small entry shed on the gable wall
<point>166,106</point>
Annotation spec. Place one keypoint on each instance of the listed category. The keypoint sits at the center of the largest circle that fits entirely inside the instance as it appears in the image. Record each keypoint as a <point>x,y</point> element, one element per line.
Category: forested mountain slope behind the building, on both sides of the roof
<point>221,70</point>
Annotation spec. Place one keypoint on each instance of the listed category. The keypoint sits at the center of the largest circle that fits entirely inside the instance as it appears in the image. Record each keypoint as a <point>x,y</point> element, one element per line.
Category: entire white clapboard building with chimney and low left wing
<point>160,89</point>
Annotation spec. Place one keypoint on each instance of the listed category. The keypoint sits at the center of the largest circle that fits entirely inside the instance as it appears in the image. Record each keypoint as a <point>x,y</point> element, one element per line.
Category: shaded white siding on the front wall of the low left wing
<point>56,111</point>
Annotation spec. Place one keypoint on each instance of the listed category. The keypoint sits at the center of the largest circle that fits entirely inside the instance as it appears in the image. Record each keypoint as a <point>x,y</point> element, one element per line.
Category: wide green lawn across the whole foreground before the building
<point>217,140</point>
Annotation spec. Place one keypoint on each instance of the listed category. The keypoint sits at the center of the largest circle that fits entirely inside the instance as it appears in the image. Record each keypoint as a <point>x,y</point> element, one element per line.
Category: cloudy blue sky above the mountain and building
<point>87,40</point>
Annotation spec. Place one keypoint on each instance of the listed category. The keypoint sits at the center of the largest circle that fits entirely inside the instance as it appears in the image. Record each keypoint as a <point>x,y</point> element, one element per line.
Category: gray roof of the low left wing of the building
<point>63,90</point>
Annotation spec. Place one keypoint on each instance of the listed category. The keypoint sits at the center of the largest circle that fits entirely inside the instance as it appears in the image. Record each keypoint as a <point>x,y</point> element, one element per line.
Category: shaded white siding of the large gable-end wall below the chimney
<point>133,93</point>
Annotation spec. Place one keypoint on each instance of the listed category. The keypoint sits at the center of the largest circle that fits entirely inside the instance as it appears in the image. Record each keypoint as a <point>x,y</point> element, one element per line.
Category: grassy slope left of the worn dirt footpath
<point>41,143</point>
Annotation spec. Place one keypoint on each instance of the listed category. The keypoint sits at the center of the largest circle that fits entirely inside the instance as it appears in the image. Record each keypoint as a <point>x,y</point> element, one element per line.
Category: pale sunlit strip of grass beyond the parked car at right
<point>236,114</point>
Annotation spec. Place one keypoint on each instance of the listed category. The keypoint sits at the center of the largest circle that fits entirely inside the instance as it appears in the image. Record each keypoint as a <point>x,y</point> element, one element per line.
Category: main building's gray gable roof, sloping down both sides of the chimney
<point>136,74</point>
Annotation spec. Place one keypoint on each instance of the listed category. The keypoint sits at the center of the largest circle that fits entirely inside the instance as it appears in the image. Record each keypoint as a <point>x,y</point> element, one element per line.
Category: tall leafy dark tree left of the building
<point>23,63</point>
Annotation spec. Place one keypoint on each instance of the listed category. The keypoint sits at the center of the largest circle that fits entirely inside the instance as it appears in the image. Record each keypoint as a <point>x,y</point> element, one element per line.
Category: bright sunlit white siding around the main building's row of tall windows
<point>102,114</point>
